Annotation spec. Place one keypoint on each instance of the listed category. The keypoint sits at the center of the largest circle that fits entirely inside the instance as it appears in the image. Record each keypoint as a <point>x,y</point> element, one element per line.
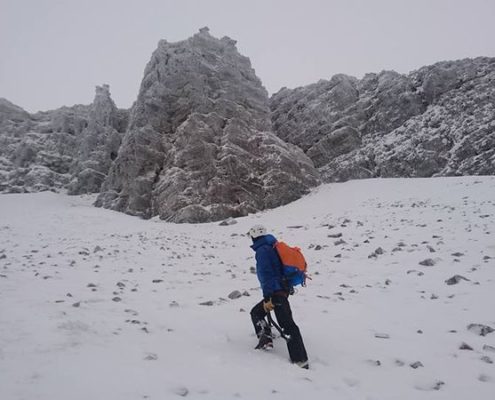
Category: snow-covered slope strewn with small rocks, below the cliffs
<point>96,304</point>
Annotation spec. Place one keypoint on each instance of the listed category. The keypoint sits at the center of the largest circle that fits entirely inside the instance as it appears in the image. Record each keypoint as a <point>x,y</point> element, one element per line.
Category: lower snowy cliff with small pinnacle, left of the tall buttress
<point>68,148</point>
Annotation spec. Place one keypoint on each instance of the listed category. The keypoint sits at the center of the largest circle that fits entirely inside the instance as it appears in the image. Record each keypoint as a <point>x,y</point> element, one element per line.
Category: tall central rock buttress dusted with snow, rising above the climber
<point>199,146</point>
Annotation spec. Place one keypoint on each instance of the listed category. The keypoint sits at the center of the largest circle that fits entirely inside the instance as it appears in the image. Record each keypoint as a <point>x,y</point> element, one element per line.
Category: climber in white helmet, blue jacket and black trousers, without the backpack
<point>275,298</point>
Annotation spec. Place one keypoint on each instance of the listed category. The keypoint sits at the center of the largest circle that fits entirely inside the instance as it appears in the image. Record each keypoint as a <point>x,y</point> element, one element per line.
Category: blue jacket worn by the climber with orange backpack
<point>268,265</point>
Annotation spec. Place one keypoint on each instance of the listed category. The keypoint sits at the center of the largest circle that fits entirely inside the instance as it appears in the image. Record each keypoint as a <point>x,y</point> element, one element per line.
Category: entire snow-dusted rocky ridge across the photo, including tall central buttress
<point>204,142</point>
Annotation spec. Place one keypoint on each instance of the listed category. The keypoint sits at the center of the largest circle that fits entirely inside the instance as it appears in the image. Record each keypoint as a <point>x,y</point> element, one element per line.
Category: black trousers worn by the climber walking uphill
<point>283,313</point>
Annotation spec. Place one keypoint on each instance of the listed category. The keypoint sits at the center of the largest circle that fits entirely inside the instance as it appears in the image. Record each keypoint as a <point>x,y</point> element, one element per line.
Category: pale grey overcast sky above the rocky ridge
<point>54,53</point>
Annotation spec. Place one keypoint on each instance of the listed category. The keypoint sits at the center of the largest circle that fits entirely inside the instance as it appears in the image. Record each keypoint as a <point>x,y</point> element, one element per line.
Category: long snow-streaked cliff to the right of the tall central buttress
<point>439,120</point>
